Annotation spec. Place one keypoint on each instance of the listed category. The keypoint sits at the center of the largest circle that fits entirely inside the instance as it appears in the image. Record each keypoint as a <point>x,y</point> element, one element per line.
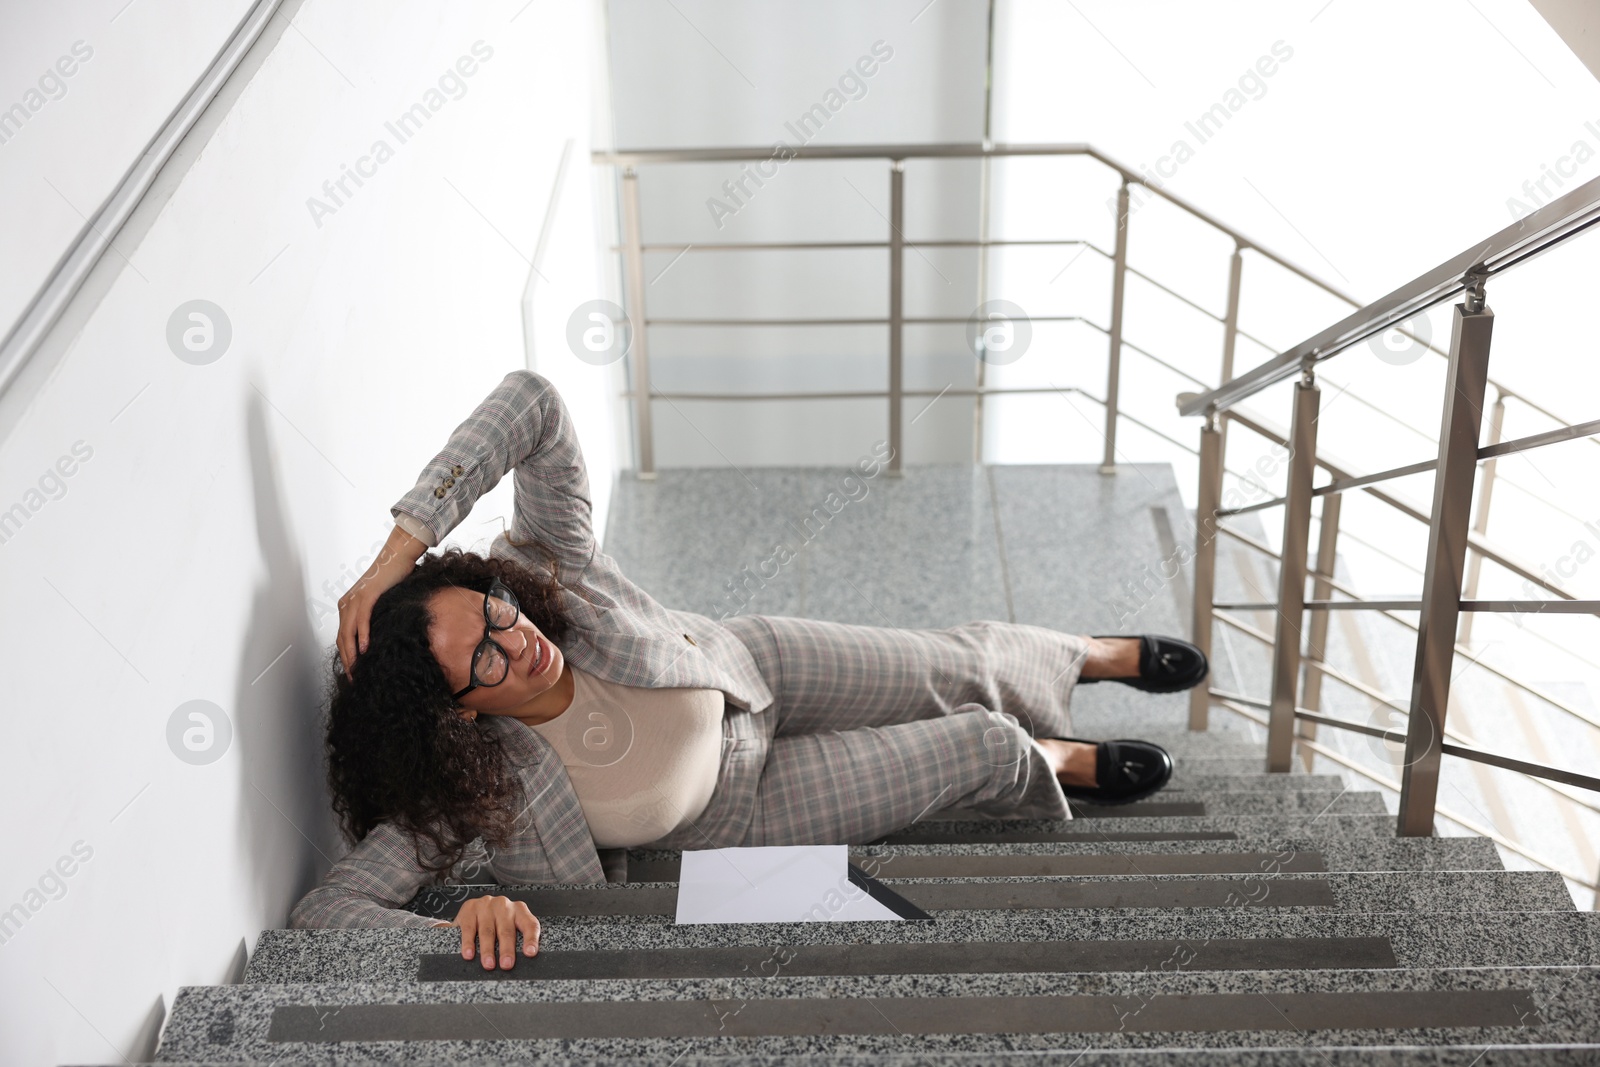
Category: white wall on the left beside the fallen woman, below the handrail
<point>215,511</point>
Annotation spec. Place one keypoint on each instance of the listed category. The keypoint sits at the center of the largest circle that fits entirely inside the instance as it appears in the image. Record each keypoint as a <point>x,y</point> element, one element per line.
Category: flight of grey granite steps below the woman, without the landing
<point>1234,919</point>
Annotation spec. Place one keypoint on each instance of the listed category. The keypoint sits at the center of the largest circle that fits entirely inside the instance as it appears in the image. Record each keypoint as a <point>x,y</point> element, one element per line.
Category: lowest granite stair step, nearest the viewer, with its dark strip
<point>532,1021</point>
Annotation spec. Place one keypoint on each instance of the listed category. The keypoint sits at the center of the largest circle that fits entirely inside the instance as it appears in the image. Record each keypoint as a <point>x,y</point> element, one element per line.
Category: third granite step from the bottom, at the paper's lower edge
<point>1386,892</point>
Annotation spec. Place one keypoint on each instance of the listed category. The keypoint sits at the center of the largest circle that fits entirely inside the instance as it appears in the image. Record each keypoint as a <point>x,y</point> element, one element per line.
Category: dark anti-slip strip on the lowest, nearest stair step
<point>1207,1013</point>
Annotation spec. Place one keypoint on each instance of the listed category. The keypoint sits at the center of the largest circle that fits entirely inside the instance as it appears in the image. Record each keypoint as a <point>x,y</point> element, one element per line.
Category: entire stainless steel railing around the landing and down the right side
<point>1455,468</point>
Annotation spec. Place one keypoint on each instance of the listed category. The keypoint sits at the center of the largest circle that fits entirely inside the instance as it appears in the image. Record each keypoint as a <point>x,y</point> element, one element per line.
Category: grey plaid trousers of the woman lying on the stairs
<point>874,729</point>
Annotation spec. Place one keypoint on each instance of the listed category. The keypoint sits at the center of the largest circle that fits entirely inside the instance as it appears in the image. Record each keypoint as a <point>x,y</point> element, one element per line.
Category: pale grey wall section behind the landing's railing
<point>722,73</point>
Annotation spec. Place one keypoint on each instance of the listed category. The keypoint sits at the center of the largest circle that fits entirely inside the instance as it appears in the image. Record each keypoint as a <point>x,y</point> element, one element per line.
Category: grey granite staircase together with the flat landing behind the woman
<point>1236,919</point>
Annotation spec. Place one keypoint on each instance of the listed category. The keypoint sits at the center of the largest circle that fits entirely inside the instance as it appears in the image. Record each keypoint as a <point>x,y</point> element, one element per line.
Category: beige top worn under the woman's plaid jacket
<point>644,762</point>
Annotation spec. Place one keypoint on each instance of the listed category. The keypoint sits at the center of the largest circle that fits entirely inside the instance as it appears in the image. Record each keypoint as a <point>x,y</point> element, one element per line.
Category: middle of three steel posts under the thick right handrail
<point>1292,573</point>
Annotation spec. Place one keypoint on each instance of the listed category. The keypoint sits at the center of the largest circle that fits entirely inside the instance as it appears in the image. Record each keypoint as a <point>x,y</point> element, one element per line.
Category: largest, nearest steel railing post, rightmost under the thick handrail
<point>1466,382</point>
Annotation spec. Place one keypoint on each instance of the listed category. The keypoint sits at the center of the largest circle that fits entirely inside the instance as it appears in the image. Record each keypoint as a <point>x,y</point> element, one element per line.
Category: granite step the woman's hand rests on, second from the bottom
<point>1201,941</point>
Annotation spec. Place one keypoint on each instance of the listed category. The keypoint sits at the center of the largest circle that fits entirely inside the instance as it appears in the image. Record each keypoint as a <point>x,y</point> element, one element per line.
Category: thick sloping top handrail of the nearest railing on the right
<point>1556,222</point>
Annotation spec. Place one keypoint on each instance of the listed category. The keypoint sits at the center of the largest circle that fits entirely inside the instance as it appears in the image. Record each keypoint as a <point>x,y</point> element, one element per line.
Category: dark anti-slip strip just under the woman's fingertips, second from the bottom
<point>986,957</point>
